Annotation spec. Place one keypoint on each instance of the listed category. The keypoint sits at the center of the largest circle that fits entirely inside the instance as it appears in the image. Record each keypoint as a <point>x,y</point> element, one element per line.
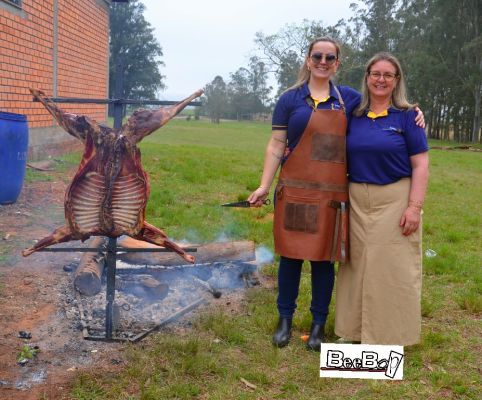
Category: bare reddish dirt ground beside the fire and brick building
<point>36,297</point>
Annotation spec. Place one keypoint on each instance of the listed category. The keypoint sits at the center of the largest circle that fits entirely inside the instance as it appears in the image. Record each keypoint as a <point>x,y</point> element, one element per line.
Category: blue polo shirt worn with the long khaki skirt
<point>379,149</point>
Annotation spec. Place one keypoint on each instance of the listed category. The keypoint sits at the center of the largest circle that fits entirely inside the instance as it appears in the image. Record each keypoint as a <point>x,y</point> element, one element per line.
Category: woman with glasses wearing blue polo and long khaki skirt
<point>378,293</point>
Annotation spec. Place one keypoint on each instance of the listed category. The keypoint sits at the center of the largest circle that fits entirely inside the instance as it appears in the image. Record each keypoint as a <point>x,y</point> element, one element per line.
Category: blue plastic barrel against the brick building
<point>13,155</point>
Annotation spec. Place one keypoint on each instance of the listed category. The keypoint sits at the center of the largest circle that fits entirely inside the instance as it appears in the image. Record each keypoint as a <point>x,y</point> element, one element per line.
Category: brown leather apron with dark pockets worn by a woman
<point>310,221</point>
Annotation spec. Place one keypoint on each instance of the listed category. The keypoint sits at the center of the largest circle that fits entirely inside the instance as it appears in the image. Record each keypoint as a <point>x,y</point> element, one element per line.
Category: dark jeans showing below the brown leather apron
<point>322,281</point>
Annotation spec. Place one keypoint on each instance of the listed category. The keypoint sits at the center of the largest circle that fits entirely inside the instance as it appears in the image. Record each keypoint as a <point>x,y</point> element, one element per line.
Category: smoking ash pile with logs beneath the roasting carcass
<point>153,289</point>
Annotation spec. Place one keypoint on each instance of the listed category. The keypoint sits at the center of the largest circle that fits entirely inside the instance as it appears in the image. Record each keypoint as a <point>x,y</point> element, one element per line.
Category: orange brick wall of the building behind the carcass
<point>60,47</point>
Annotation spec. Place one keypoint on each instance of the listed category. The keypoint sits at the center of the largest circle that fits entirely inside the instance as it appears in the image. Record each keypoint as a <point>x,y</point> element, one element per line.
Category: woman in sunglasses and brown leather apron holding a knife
<point>308,140</point>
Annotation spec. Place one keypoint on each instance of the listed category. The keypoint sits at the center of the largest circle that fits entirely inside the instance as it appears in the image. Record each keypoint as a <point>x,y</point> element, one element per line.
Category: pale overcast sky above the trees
<point>204,38</point>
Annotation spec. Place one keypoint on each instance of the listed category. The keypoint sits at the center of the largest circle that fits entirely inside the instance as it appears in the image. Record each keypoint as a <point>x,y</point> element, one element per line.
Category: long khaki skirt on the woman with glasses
<point>378,293</point>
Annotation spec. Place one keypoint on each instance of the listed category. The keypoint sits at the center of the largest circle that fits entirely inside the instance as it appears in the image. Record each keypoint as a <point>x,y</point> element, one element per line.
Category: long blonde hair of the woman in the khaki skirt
<point>399,94</point>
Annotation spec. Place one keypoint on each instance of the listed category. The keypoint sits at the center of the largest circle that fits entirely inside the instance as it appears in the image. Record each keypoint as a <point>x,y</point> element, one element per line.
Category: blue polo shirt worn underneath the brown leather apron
<point>292,112</point>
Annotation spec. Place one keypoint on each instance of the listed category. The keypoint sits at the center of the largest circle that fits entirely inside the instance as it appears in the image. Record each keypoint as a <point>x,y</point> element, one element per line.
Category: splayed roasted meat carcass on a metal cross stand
<point>109,192</point>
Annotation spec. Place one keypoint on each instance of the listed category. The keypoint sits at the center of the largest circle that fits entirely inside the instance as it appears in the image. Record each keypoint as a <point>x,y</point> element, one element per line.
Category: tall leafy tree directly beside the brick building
<point>132,41</point>
